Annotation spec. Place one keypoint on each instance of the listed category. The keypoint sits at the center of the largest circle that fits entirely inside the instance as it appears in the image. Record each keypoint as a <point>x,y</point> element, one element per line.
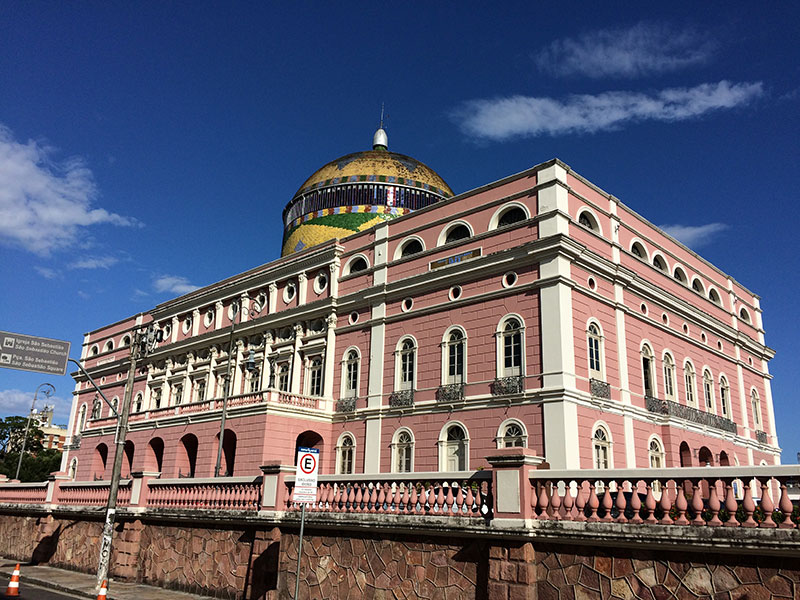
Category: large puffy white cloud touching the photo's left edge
<point>45,205</point>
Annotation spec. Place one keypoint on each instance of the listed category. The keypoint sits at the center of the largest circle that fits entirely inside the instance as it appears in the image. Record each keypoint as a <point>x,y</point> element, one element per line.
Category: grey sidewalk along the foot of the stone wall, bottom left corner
<point>82,584</point>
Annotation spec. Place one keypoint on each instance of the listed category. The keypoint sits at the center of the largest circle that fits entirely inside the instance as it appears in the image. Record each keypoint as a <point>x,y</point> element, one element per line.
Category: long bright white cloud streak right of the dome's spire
<point>525,116</point>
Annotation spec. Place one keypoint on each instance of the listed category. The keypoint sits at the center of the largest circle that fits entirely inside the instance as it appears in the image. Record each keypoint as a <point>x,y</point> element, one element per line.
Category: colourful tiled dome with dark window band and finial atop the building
<point>356,192</point>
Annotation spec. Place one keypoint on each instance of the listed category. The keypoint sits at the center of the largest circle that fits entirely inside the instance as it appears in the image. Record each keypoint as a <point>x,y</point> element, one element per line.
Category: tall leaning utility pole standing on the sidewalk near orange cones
<point>144,342</point>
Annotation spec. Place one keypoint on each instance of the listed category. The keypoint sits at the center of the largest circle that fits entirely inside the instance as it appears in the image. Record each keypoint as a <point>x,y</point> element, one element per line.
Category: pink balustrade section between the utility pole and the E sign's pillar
<point>219,493</point>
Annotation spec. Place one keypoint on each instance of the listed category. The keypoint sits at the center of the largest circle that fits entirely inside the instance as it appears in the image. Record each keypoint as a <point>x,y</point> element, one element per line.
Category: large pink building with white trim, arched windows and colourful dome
<point>407,329</point>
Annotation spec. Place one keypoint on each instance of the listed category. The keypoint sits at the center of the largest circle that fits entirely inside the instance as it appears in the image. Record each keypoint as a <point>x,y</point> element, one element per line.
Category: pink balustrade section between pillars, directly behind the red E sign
<point>458,494</point>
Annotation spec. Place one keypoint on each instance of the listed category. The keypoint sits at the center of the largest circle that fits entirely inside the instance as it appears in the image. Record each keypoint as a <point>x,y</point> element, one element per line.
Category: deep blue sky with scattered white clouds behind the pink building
<point>148,148</point>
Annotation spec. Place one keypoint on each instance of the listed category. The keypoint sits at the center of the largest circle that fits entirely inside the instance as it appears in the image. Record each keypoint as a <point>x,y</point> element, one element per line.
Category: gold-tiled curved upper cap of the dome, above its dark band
<point>377,165</point>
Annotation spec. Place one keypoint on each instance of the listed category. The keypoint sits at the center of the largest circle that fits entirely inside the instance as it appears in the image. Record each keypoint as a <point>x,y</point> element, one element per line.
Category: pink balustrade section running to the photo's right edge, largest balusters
<point>706,497</point>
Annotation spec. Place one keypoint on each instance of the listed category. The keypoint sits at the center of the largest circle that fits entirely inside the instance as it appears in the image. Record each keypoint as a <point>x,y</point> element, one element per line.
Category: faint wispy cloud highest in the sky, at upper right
<point>640,50</point>
